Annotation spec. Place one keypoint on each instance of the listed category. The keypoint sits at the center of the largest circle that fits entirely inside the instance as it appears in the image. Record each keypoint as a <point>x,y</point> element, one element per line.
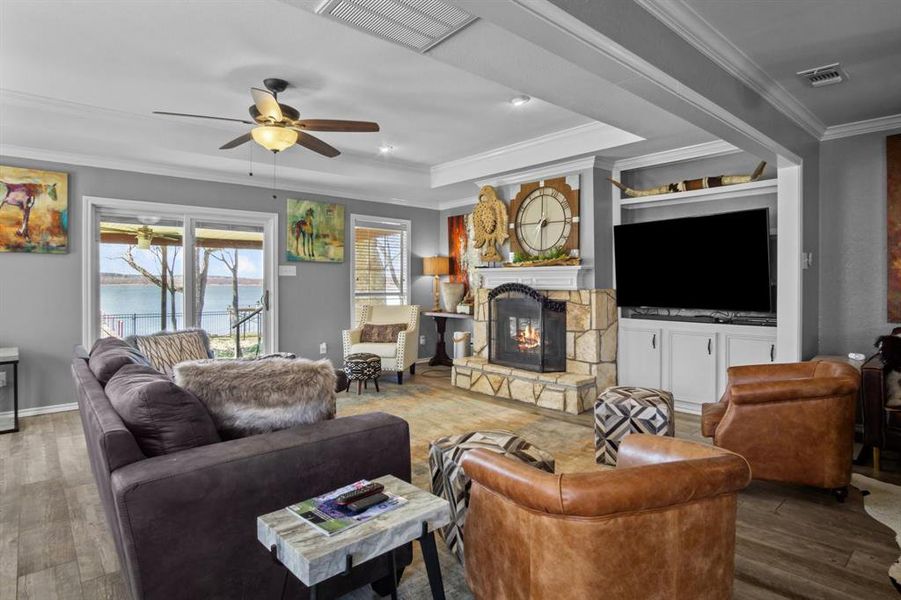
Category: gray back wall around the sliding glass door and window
<point>40,295</point>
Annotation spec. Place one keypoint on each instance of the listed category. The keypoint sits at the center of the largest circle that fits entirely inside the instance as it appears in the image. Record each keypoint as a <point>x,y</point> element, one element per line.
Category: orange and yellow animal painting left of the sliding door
<point>34,211</point>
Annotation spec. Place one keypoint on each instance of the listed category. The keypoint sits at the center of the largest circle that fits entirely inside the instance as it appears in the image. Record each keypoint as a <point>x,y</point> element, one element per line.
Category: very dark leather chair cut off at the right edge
<point>881,423</point>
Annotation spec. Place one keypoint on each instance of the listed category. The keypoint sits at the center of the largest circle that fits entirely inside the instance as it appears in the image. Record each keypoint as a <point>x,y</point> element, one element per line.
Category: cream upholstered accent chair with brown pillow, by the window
<point>396,356</point>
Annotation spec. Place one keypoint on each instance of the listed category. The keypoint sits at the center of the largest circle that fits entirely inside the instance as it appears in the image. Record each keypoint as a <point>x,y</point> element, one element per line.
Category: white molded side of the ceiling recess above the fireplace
<point>582,139</point>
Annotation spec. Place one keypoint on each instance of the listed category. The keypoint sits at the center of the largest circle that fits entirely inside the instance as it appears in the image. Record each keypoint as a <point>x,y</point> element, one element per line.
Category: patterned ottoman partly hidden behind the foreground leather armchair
<point>449,481</point>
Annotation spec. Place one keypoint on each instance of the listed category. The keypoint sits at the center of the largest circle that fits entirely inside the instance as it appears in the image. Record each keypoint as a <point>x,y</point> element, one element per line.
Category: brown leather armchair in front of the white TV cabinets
<point>793,422</point>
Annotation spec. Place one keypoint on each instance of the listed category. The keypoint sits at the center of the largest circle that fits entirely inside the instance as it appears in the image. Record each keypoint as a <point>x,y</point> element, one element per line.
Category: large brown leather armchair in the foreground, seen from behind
<point>660,525</point>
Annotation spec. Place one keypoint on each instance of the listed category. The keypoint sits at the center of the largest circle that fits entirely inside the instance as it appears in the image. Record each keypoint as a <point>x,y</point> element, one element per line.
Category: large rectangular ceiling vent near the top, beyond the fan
<point>416,24</point>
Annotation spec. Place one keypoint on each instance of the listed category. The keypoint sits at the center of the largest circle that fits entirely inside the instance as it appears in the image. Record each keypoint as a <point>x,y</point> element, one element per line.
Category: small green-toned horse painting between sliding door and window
<point>315,231</point>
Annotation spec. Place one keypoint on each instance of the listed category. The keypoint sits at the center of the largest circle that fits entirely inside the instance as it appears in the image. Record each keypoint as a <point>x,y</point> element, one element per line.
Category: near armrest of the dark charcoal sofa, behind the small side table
<point>191,516</point>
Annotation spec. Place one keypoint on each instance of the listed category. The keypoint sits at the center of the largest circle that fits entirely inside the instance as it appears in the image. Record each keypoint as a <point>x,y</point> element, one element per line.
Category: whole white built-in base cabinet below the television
<point>689,359</point>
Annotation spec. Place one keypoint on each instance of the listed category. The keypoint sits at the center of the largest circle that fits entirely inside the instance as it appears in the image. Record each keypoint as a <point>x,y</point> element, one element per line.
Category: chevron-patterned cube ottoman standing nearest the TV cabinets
<point>620,411</point>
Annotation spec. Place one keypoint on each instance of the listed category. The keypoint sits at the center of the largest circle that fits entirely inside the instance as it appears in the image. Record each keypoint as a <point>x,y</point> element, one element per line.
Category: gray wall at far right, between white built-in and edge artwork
<point>852,253</point>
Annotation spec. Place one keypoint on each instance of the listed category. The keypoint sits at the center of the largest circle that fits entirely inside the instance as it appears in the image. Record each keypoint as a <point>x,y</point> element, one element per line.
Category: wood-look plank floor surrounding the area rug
<point>791,542</point>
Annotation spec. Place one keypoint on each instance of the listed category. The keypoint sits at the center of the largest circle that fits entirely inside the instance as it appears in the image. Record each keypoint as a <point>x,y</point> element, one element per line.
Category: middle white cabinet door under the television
<point>692,365</point>
